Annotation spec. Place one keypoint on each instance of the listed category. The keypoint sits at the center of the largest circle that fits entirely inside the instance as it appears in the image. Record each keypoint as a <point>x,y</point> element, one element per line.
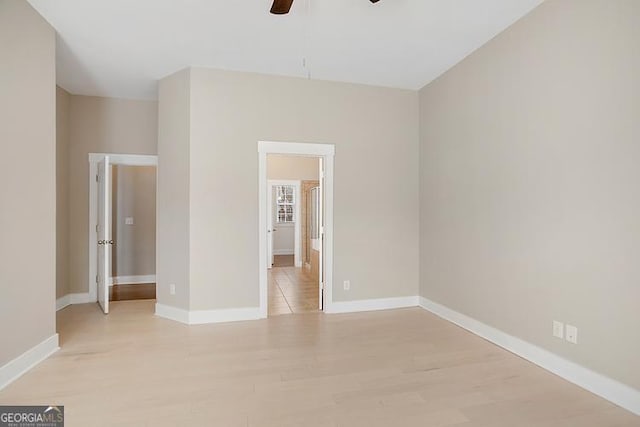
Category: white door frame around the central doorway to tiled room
<point>327,153</point>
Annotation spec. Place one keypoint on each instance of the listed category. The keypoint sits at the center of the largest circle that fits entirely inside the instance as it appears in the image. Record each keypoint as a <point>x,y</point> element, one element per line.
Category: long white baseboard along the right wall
<point>605,387</point>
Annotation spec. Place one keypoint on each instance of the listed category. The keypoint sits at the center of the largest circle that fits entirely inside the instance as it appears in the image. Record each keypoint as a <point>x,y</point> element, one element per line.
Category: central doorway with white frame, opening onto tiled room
<point>296,227</point>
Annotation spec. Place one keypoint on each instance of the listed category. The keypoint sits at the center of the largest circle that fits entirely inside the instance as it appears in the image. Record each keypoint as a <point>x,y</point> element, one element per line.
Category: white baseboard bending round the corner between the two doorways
<point>199,317</point>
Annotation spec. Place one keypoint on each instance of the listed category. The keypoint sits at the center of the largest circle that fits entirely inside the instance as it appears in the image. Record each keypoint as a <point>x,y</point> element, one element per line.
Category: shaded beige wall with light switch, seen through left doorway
<point>134,196</point>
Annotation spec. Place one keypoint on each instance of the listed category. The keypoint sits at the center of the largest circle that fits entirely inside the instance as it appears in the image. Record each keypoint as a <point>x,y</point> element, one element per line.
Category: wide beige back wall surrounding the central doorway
<point>375,131</point>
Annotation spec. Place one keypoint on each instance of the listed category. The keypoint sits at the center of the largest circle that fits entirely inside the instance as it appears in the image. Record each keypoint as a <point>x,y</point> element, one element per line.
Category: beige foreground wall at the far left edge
<point>27,179</point>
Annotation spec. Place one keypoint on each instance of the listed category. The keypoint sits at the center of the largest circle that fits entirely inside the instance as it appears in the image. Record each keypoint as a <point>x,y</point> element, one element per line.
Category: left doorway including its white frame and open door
<point>122,228</point>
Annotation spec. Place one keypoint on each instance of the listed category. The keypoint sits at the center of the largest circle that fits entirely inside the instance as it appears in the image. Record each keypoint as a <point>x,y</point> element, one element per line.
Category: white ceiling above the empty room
<point>120,48</point>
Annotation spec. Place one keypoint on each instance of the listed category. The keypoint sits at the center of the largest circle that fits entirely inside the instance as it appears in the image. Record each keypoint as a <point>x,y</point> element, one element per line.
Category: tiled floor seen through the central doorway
<point>292,290</point>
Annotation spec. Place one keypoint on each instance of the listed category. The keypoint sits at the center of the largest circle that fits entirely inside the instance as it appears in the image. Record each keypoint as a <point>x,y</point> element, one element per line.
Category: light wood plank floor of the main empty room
<point>390,368</point>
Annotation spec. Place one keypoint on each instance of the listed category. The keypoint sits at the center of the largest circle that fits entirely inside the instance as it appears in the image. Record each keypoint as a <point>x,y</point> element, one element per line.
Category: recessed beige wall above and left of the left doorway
<point>100,125</point>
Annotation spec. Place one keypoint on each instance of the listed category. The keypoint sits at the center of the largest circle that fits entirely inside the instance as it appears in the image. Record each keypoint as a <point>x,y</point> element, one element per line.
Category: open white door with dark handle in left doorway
<point>104,233</point>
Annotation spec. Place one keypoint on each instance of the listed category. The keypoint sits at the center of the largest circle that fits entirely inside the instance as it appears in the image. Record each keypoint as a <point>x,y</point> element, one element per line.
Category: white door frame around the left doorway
<point>114,159</point>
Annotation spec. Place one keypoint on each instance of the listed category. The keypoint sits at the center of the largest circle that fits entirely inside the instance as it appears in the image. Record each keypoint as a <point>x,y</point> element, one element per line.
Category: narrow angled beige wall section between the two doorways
<point>172,257</point>
